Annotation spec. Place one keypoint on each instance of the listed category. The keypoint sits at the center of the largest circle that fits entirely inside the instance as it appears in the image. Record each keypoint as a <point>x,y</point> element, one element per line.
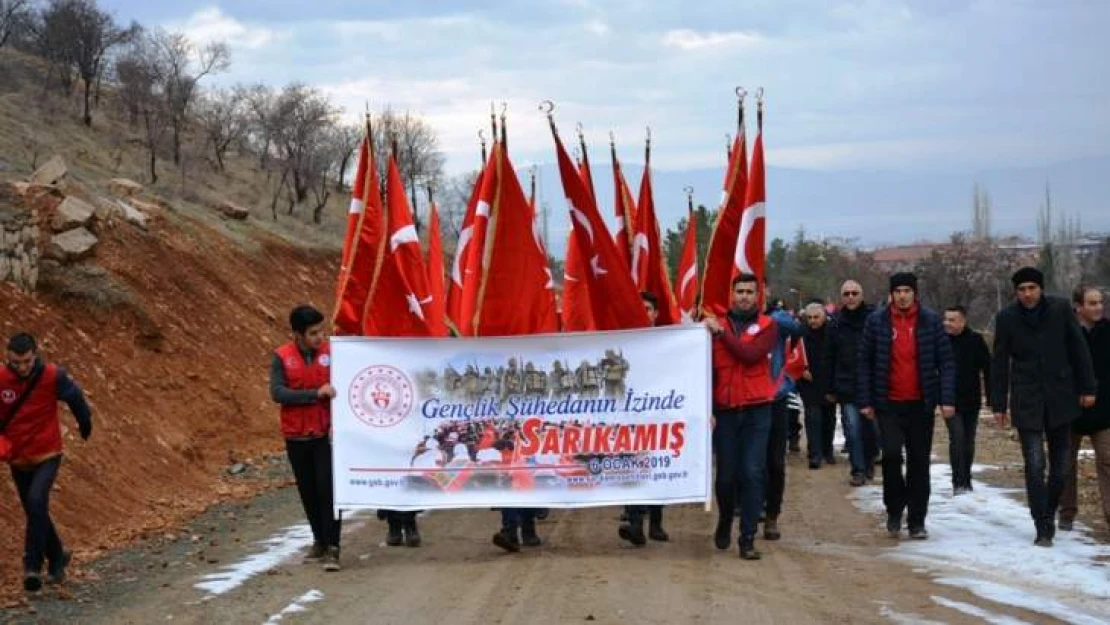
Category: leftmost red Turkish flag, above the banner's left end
<point>364,248</point>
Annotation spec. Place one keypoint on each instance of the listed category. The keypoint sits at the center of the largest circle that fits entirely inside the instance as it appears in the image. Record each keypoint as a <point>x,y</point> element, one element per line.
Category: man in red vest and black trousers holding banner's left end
<point>300,381</point>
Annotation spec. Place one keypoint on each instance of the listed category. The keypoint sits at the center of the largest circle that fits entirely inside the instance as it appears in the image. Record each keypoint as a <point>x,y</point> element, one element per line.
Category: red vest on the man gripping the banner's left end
<point>314,420</point>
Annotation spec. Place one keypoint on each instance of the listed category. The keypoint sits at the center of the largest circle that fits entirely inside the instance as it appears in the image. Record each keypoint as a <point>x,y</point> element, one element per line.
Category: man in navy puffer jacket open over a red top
<point>906,370</point>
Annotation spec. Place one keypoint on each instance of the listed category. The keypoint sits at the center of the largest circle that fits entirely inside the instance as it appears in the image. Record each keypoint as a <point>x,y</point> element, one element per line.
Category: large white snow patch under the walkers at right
<point>983,542</point>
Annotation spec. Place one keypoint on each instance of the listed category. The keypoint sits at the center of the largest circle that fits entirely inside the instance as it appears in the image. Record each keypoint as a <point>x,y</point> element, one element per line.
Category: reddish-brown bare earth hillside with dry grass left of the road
<point>168,327</point>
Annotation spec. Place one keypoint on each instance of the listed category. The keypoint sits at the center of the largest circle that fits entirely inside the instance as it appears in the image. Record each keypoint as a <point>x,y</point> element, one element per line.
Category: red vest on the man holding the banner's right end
<point>738,386</point>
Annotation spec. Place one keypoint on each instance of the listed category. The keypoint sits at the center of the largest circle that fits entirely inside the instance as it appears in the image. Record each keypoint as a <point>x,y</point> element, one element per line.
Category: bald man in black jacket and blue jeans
<point>842,349</point>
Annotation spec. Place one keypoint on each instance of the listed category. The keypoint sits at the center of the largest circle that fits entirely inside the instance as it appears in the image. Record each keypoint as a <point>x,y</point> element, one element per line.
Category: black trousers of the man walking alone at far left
<point>41,540</point>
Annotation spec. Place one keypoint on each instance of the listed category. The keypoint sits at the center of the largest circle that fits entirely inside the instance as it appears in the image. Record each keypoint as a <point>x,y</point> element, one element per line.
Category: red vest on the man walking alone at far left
<point>35,434</point>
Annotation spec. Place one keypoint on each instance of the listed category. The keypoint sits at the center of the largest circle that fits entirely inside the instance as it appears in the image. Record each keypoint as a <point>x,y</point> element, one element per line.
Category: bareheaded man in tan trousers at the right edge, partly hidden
<point>1095,422</point>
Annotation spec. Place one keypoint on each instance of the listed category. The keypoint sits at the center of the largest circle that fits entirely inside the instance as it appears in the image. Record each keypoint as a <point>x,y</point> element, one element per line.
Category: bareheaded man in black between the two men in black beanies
<point>973,377</point>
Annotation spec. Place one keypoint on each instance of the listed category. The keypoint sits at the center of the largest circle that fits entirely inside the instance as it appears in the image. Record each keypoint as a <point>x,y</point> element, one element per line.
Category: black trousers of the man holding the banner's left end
<point>312,468</point>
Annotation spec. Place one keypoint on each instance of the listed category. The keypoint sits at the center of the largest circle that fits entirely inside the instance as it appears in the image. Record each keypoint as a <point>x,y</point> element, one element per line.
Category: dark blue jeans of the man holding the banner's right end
<point>740,440</point>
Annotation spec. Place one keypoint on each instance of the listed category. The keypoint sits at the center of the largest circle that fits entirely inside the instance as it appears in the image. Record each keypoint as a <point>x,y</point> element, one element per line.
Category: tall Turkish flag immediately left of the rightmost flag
<point>717,285</point>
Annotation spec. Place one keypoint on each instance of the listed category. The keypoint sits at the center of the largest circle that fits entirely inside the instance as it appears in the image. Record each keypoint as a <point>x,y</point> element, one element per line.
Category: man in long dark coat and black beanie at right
<point>1042,370</point>
